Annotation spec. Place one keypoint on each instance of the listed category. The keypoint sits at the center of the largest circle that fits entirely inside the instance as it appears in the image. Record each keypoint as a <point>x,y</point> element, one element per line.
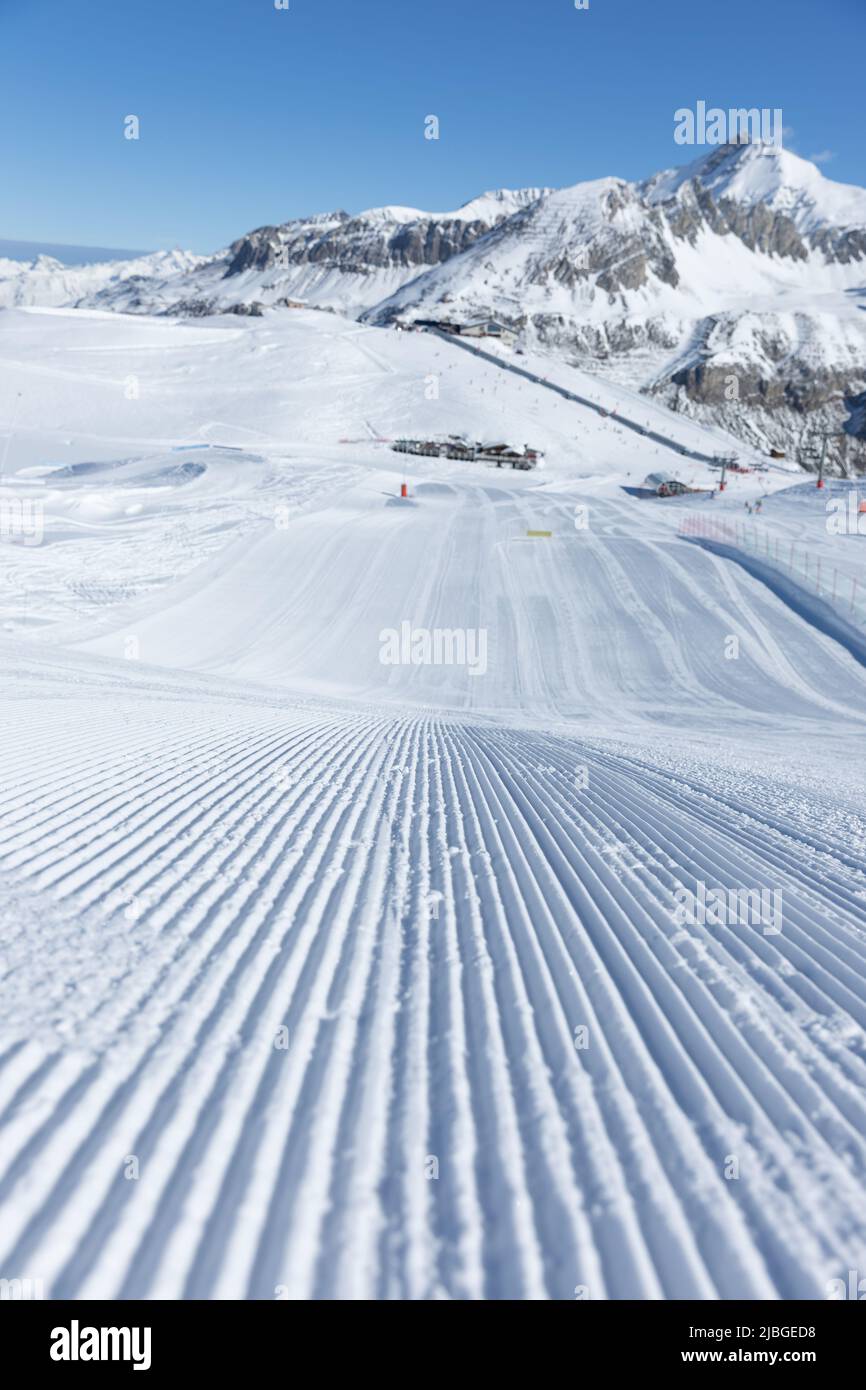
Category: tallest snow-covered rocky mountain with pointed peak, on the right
<point>733,288</point>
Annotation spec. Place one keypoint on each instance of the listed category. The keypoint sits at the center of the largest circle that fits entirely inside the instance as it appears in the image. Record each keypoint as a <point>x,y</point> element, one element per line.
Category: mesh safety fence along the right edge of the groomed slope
<point>796,559</point>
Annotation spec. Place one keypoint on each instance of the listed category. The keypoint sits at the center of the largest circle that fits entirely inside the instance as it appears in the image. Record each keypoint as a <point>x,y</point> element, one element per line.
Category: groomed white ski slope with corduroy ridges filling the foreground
<point>333,979</point>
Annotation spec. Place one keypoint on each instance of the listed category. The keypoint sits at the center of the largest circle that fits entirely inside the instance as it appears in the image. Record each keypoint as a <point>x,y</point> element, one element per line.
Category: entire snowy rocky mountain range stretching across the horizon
<point>732,288</point>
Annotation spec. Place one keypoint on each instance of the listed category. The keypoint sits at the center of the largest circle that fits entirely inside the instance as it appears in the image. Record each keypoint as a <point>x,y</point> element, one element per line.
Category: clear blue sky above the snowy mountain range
<point>252,116</point>
